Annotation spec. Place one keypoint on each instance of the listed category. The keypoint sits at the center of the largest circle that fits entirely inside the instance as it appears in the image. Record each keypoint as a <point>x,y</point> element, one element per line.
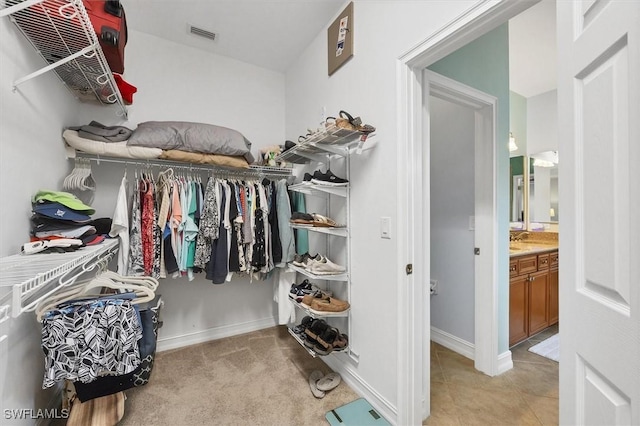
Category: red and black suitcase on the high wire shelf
<point>110,24</point>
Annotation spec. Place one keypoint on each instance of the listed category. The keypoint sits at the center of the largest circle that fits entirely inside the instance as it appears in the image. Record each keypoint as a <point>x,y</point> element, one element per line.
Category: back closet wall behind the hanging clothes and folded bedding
<point>181,83</point>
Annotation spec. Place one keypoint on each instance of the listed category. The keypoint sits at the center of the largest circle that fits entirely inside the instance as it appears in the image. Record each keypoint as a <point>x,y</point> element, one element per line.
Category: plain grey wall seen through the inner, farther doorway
<point>452,202</point>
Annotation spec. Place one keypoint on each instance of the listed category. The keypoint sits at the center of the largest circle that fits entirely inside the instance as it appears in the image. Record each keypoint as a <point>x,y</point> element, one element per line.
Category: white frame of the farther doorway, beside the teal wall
<point>484,106</point>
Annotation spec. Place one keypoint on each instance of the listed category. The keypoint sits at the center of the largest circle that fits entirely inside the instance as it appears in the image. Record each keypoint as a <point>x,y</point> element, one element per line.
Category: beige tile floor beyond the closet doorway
<point>525,395</point>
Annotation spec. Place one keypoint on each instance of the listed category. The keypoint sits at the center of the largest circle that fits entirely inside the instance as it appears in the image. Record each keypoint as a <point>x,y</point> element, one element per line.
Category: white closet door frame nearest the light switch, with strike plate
<point>413,403</point>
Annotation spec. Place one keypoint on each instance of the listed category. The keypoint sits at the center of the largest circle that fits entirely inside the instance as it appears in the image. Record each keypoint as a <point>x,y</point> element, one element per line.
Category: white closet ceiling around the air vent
<point>266,33</point>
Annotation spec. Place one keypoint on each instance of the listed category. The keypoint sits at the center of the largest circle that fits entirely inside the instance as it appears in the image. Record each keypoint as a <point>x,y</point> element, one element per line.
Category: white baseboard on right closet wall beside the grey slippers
<point>340,364</point>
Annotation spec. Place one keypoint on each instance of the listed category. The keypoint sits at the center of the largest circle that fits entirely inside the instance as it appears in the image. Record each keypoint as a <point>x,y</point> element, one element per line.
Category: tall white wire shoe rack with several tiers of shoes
<point>319,149</point>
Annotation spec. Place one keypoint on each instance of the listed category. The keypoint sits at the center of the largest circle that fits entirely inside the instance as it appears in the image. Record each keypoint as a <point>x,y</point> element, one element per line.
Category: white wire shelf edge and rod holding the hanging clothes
<point>251,171</point>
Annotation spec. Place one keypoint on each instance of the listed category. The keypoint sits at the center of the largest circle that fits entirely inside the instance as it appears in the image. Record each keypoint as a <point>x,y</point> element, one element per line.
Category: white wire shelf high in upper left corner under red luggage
<point>62,33</point>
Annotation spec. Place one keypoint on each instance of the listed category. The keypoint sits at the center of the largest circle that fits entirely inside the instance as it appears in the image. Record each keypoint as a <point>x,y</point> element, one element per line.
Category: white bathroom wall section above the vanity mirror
<point>542,122</point>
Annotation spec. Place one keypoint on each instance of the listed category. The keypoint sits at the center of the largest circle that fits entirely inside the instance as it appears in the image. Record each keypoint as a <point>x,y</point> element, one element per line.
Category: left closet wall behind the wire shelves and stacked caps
<point>31,157</point>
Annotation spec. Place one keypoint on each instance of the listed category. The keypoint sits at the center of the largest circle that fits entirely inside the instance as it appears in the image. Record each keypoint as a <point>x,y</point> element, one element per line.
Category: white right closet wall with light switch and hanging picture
<point>366,86</point>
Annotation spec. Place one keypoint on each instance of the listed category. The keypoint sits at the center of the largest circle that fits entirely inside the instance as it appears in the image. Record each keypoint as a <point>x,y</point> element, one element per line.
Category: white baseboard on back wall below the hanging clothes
<point>215,333</point>
